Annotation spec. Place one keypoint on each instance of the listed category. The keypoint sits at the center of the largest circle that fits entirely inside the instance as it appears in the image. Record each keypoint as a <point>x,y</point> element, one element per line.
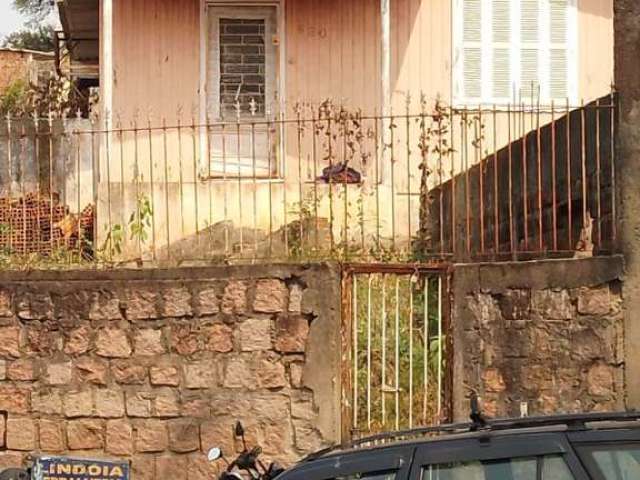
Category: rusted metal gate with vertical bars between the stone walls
<point>396,348</point>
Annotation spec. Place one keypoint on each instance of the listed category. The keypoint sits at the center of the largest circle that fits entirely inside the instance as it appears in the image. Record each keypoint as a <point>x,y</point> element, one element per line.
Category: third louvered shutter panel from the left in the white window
<point>529,49</point>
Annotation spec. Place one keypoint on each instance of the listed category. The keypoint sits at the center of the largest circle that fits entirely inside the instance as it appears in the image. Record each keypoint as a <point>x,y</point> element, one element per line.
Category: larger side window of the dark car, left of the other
<point>552,467</point>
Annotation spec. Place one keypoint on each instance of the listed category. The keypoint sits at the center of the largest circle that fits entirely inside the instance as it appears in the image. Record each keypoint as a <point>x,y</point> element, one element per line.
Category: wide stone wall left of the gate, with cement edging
<point>152,367</point>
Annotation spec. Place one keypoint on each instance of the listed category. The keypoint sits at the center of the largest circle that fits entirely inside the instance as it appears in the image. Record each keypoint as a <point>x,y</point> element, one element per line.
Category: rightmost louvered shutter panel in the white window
<point>558,49</point>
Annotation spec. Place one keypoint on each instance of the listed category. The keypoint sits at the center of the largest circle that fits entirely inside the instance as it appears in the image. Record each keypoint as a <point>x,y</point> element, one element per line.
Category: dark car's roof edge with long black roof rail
<point>481,429</point>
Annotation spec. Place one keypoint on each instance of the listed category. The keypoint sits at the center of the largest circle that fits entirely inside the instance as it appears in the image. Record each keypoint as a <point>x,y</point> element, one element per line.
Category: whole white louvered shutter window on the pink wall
<point>509,51</point>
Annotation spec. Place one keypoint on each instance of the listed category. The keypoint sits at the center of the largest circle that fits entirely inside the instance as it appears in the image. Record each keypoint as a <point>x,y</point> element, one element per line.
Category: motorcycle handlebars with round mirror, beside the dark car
<point>248,461</point>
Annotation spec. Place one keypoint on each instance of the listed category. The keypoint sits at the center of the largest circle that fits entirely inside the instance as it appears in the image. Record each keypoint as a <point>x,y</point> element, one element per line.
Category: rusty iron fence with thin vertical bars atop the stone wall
<point>424,182</point>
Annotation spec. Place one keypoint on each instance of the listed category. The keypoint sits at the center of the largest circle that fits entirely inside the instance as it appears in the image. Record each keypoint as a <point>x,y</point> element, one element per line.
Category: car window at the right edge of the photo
<point>614,462</point>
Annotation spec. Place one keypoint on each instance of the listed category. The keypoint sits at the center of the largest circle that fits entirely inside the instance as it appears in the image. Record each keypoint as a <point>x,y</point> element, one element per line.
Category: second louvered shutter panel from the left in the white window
<point>501,32</point>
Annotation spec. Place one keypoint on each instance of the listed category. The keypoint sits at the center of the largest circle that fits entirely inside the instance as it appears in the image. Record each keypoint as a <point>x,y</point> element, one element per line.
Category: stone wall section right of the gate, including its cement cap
<point>543,337</point>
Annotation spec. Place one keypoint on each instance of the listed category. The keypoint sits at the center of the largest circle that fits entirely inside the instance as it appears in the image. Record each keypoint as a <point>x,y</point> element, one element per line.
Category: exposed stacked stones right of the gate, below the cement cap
<point>545,351</point>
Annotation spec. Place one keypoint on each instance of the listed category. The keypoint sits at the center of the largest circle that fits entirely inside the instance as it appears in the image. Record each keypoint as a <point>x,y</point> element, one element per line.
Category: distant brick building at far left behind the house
<point>26,65</point>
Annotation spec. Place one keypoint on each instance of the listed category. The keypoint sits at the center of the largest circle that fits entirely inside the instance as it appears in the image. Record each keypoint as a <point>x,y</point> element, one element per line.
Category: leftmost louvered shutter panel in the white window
<point>472,49</point>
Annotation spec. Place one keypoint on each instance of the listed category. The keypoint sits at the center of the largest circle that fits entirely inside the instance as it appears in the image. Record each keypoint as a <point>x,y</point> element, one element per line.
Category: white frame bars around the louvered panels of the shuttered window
<point>486,45</point>
